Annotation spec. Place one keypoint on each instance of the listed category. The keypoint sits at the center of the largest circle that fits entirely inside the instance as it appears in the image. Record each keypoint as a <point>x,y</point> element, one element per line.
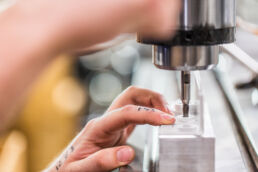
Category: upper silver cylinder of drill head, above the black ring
<point>207,13</point>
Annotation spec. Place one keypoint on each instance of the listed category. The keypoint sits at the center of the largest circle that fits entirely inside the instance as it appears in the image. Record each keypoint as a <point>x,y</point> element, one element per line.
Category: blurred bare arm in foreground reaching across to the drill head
<point>33,32</point>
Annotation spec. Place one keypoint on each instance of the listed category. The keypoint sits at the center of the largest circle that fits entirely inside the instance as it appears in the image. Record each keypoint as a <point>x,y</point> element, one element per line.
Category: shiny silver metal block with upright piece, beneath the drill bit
<point>189,145</point>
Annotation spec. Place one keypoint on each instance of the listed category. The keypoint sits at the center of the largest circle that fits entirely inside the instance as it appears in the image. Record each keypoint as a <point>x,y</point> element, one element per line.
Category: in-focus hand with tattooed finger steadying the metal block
<point>100,145</point>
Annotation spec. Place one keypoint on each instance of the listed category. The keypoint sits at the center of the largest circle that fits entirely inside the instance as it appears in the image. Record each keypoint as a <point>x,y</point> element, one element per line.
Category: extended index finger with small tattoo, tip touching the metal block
<point>131,114</point>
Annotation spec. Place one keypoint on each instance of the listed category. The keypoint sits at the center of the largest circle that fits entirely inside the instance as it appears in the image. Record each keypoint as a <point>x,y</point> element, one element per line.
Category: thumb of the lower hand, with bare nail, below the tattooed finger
<point>104,160</point>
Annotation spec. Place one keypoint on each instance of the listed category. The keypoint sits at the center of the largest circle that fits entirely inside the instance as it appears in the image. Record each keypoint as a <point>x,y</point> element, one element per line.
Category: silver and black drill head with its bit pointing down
<point>202,26</point>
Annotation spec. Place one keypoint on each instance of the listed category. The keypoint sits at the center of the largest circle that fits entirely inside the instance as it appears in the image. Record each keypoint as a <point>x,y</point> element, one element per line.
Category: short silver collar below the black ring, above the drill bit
<point>185,58</point>
